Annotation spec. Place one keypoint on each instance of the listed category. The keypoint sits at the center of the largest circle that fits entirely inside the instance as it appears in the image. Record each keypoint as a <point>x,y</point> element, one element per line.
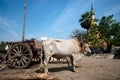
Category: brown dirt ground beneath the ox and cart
<point>96,67</point>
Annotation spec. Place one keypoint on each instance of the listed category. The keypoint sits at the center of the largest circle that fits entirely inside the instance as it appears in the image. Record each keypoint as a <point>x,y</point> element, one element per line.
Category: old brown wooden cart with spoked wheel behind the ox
<point>20,54</point>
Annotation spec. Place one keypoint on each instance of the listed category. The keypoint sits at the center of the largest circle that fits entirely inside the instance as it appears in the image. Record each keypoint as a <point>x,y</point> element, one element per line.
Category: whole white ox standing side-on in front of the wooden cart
<point>63,48</point>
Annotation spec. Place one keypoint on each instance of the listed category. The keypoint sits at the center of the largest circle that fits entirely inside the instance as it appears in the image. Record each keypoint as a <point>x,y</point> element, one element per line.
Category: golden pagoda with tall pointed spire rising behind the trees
<point>94,36</point>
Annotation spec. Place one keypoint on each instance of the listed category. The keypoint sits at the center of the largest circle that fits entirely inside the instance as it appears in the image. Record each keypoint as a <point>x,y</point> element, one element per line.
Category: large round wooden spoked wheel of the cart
<point>20,55</point>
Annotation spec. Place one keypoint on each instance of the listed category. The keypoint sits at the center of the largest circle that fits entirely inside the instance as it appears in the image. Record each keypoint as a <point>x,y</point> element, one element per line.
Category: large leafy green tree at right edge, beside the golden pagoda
<point>110,30</point>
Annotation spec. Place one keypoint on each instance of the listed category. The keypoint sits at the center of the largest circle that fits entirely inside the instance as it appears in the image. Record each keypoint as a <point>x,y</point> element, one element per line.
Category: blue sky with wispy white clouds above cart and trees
<point>51,18</point>
